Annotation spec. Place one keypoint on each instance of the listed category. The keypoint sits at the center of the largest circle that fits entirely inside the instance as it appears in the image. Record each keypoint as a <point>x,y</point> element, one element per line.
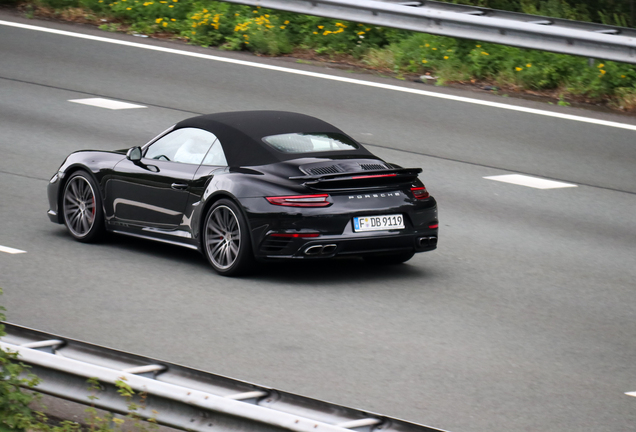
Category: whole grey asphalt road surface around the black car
<point>523,320</point>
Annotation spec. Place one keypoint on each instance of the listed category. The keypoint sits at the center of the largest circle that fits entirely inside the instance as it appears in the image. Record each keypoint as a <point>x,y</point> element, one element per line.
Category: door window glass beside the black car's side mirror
<point>187,145</point>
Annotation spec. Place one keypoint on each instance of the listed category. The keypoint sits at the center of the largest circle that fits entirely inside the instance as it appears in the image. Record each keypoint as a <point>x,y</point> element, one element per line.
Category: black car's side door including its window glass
<point>154,191</point>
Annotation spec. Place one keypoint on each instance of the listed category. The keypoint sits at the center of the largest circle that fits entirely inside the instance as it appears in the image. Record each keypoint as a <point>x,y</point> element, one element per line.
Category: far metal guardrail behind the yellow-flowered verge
<point>467,22</point>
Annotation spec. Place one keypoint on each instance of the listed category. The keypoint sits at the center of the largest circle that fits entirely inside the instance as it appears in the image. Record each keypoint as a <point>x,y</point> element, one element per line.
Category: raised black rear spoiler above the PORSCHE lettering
<point>360,179</point>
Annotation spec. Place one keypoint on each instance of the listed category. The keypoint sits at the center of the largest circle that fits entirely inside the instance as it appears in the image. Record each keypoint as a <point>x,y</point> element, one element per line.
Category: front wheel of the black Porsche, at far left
<point>82,208</point>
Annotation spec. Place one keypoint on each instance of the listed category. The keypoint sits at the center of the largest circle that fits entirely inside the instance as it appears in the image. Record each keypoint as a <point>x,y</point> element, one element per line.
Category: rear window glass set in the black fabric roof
<point>310,142</point>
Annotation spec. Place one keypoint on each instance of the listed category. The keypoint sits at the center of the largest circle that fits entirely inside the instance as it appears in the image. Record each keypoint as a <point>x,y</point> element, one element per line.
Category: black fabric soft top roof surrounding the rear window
<point>241,133</point>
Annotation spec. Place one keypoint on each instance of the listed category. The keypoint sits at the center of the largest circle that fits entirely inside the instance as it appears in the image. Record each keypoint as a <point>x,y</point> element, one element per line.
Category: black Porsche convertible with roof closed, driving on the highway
<point>240,186</point>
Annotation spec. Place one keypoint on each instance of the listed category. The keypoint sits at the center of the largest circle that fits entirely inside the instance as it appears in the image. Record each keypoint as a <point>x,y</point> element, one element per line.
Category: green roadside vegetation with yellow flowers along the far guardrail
<point>403,54</point>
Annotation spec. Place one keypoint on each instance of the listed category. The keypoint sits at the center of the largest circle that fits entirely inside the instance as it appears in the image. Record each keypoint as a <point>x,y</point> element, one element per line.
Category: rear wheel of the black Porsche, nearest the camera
<point>226,239</point>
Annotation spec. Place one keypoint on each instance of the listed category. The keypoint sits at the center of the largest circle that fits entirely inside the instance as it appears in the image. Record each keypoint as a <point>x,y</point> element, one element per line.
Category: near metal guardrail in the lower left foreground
<point>178,396</point>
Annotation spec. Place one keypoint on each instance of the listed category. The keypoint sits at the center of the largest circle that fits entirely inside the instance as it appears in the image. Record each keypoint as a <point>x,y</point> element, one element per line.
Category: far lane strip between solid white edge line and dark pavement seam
<point>487,136</point>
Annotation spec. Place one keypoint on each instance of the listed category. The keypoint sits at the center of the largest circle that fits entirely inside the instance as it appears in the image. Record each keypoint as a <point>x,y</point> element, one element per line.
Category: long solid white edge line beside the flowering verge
<point>328,77</point>
